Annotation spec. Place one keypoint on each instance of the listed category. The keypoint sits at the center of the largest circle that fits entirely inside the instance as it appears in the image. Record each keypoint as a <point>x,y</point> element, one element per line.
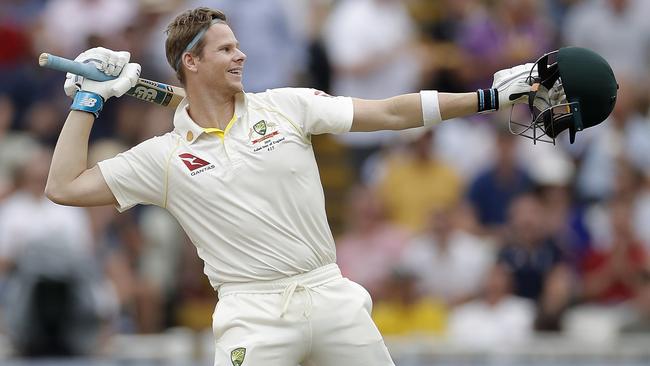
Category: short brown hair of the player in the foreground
<point>182,30</point>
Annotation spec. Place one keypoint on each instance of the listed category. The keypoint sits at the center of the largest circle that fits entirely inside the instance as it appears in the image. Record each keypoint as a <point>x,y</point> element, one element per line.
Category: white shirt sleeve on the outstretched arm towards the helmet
<point>314,111</point>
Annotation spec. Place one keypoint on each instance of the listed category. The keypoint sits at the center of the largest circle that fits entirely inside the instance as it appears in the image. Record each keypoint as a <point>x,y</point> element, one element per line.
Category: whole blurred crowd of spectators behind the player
<point>466,231</point>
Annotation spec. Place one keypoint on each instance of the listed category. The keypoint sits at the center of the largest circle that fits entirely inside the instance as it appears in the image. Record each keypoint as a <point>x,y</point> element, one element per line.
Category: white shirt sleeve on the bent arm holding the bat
<point>137,176</point>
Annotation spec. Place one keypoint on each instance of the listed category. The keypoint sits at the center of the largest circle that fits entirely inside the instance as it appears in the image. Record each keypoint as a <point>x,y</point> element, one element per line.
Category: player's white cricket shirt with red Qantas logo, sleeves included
<point>250,197</point>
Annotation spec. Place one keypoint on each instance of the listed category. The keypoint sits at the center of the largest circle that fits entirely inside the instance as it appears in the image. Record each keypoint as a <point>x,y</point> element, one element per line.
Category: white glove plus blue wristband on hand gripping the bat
<point>89,95</point>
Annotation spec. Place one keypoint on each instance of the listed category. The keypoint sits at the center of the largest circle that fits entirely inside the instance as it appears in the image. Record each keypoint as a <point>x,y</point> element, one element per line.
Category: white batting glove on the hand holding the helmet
<point>513,84</point>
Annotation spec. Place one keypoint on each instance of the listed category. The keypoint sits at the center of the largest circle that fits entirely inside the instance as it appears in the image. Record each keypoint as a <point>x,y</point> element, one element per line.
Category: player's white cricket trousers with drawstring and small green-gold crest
<point>318,318</point>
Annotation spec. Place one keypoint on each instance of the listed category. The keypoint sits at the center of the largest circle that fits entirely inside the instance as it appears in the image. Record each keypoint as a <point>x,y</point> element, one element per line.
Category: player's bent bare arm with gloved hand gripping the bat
<point>70,181</point>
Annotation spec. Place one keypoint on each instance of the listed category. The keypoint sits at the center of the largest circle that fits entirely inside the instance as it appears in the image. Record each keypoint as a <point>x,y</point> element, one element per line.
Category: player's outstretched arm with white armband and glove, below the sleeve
<point>430,107</point>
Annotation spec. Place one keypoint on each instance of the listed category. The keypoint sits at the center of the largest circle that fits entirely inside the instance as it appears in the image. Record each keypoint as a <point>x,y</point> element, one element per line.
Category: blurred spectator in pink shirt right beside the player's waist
<point>371,246</point>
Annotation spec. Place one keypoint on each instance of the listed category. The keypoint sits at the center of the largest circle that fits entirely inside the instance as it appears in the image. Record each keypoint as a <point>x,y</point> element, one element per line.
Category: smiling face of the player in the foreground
<point>221,64</point>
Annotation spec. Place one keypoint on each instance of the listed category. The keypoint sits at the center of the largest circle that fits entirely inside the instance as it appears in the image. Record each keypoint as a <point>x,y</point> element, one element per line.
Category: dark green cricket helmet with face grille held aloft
<point>580,91</point>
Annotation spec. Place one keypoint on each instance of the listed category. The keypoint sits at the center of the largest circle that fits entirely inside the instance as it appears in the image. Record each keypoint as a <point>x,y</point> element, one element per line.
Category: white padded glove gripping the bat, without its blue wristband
<point>111,63</point>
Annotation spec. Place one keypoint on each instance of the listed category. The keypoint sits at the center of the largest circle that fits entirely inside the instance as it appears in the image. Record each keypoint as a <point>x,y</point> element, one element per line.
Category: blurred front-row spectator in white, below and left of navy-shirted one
<point>498,319</point>
